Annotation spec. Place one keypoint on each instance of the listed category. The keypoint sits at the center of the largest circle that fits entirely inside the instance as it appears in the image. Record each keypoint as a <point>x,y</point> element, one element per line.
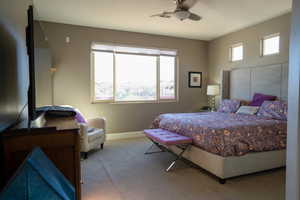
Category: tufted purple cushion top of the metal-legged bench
<point>166,137</point>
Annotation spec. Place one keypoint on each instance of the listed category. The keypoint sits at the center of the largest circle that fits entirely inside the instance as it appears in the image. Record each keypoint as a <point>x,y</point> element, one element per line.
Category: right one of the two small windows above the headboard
<point>270,44</point>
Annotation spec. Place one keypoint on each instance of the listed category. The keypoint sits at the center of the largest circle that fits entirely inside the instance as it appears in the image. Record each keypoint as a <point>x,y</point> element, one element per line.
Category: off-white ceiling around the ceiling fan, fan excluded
<point>219,16</point>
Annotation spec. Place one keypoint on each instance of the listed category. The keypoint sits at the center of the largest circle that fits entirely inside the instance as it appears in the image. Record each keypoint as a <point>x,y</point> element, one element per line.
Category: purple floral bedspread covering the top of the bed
<point>227,134</point>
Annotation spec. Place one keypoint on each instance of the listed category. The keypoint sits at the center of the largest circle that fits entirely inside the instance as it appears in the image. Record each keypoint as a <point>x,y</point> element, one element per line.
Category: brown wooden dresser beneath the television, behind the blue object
<point>59,139</point>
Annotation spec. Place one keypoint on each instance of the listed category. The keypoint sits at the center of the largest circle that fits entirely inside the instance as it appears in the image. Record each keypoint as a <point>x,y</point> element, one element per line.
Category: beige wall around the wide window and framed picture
<point>72,80</point>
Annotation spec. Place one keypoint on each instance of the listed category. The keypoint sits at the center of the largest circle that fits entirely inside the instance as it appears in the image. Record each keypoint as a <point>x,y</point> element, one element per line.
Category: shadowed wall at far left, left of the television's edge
<point>14,79</point>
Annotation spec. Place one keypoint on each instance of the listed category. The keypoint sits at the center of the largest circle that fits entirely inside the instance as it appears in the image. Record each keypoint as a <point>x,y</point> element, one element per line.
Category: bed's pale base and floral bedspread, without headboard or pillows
<point>229,145</point>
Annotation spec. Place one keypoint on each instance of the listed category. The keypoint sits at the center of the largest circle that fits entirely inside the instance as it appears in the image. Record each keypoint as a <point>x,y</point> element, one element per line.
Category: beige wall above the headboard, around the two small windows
<point>219,48</point>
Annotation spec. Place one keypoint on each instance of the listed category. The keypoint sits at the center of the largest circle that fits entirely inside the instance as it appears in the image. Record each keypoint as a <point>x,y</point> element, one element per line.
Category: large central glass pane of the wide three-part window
<point>135,78</point>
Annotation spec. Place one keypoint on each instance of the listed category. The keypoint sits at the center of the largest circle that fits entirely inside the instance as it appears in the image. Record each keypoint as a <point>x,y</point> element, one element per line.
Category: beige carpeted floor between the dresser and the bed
<point>122,172</point>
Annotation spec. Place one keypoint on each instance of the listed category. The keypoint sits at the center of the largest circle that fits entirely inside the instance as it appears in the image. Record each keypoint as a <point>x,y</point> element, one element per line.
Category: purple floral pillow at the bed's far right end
<point>274,110</point>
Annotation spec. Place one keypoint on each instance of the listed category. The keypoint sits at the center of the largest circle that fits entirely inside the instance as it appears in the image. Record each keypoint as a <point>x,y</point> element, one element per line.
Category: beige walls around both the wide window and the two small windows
<point>72,80</point>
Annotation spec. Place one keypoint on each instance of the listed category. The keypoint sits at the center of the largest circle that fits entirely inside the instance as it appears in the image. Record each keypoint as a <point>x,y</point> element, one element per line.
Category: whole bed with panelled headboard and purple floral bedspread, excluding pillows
<point>228,144</point>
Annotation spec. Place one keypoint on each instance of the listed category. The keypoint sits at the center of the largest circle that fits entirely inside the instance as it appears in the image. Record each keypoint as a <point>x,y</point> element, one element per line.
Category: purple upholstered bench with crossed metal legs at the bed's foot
<point>161,138</point>
